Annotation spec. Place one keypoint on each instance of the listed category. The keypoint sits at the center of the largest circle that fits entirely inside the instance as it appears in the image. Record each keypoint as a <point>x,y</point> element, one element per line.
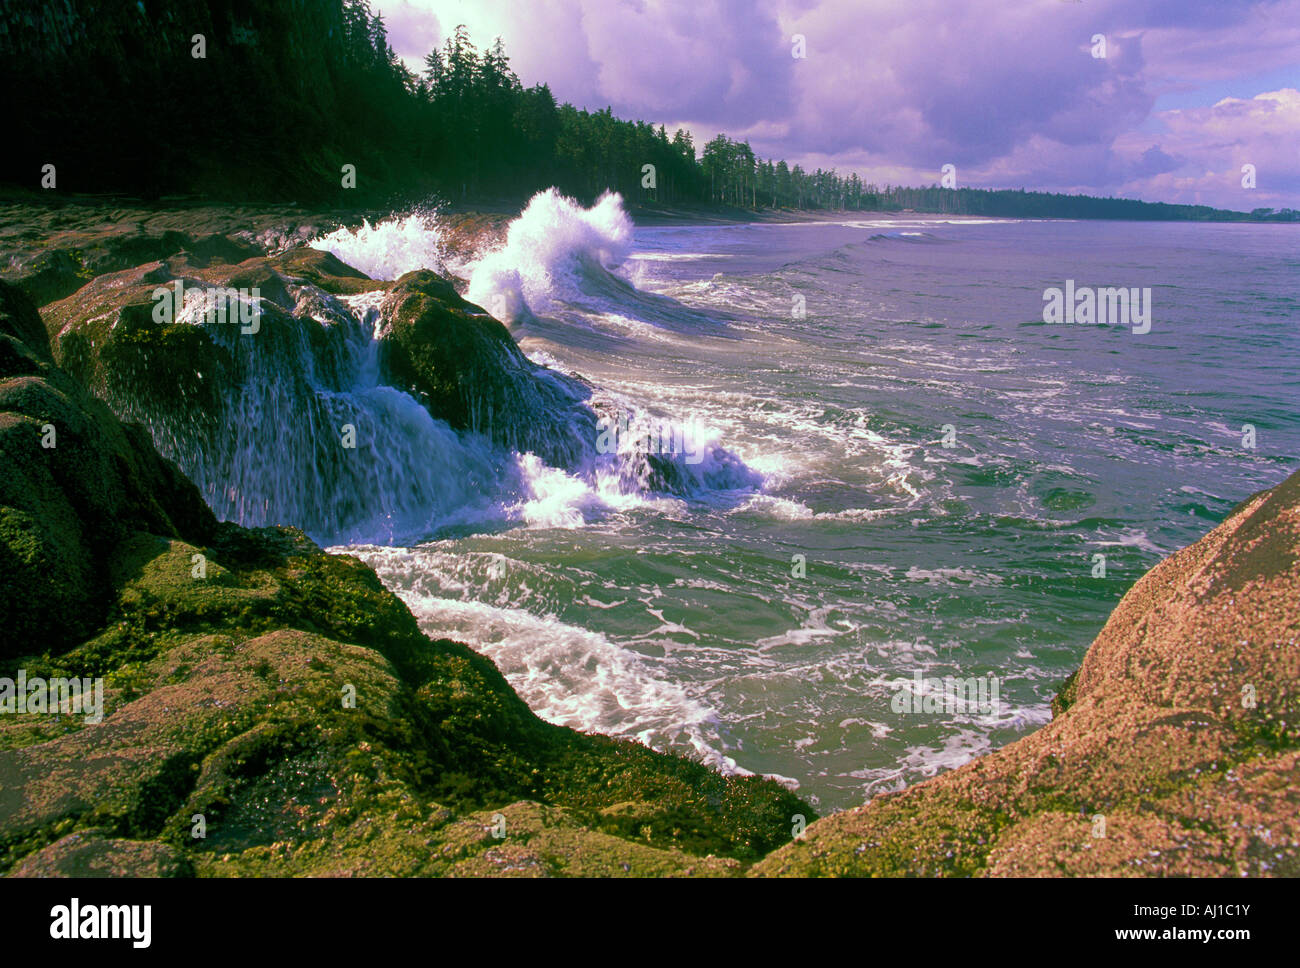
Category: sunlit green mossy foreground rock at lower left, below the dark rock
<point>294,706</point>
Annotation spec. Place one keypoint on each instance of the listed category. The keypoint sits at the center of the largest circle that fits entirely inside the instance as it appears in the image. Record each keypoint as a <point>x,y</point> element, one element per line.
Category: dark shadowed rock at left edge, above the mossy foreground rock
<point>73,484</point>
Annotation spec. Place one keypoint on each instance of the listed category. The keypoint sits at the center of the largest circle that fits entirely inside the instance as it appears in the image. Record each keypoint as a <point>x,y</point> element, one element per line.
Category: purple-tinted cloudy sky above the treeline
<point>1009,92</point>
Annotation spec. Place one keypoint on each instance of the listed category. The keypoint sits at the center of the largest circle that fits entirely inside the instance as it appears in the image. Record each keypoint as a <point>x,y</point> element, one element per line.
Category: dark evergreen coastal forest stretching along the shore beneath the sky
<point>261,101</point>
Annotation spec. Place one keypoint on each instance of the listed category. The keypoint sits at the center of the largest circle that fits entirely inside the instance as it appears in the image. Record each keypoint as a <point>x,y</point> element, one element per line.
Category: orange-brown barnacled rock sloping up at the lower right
<point>1181,731</point>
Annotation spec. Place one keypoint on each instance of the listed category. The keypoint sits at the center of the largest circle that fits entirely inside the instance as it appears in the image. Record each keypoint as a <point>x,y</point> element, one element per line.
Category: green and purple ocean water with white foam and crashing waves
<point>892,467</point>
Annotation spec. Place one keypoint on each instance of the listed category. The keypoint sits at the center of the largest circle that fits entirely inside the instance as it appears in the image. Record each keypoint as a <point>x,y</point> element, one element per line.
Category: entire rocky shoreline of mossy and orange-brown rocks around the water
<point>231,654</point>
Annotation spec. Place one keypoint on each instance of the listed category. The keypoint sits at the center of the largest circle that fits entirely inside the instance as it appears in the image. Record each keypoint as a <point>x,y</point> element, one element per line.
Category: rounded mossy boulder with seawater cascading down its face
<point>168,346</point>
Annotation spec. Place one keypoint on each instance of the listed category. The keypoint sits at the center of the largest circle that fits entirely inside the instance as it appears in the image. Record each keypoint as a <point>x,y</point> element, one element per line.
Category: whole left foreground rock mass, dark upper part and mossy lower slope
<point>281,694</point>
